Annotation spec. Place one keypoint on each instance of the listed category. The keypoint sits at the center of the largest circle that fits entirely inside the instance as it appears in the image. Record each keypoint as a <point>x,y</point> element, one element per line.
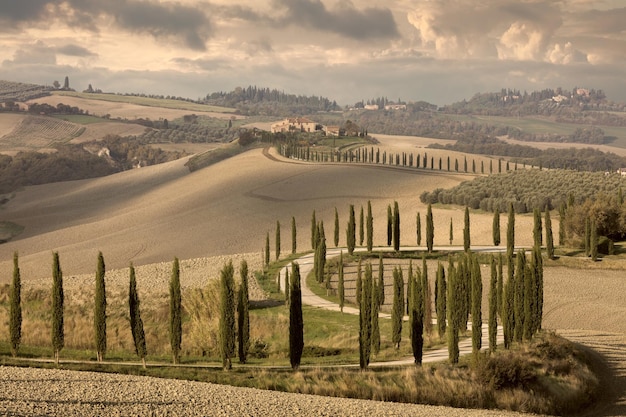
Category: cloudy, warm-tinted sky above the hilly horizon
<point>440,51</point>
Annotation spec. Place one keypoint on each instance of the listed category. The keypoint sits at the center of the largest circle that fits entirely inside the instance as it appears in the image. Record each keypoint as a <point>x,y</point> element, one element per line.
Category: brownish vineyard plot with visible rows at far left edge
<point>36,132</point>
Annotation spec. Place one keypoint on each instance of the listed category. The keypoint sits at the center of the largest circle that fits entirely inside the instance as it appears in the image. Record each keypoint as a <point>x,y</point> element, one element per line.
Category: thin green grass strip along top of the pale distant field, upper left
<point>147,101</point>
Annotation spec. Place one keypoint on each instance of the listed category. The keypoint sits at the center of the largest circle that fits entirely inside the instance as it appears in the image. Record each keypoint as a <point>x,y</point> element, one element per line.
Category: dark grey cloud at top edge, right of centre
<point>347,21</point>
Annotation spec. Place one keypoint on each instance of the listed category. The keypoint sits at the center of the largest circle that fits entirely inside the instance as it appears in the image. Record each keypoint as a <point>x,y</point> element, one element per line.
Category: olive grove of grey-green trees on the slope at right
<point>526,189</point>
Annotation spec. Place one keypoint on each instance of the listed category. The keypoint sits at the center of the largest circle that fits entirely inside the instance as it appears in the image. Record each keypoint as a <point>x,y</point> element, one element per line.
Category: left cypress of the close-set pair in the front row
<point>227,315</point>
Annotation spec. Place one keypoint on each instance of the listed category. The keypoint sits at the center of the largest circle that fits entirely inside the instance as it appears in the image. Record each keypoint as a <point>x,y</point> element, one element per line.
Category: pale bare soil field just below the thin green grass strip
<point>124,110</point>
